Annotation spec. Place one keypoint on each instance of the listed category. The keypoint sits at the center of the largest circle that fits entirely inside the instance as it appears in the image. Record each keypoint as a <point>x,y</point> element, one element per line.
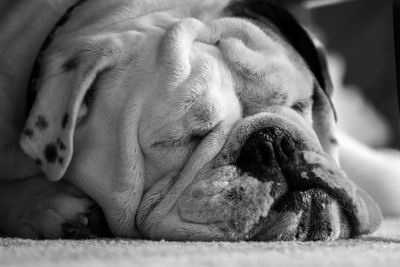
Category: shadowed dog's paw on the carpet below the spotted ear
<point>58,213</point>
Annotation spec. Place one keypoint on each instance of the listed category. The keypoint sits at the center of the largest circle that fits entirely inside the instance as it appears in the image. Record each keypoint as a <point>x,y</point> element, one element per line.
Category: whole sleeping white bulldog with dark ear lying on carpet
<point>174,119</point>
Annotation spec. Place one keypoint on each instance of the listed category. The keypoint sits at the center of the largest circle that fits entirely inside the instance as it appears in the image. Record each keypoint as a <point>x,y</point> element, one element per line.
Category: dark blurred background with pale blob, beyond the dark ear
<point>358,35</point>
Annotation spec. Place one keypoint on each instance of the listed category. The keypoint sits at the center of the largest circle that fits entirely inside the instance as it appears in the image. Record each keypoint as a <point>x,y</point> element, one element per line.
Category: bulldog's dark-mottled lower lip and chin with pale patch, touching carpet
<point>313,215</point>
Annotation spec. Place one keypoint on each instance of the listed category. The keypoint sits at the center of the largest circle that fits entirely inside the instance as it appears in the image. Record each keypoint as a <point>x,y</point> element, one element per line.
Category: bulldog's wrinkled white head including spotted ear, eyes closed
<point>191,130</point>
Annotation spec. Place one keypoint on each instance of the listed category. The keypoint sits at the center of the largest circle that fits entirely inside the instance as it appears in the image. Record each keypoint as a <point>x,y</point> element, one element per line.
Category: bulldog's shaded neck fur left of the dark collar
<point>24,26</point>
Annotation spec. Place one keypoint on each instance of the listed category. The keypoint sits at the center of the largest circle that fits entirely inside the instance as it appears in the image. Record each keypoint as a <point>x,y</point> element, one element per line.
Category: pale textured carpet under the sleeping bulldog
<point>379,249</point>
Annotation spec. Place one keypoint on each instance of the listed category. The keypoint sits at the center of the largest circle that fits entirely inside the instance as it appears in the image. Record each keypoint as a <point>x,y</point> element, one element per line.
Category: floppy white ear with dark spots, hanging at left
<point>67,75</point>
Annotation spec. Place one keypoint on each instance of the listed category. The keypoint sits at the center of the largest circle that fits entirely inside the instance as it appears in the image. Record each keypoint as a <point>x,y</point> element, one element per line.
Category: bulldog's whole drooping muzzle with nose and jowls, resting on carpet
<point>271,183</point>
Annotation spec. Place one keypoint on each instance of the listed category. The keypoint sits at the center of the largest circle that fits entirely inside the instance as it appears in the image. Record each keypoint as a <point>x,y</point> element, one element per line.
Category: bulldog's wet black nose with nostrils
<point>265,151</point>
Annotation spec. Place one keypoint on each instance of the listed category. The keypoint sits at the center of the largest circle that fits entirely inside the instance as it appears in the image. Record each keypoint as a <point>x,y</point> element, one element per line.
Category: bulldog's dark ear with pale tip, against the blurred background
<point>266,14</point>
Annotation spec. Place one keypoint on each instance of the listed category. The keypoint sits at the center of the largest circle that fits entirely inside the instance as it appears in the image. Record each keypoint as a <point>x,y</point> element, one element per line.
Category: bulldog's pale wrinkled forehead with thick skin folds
<point>253,57</point>
